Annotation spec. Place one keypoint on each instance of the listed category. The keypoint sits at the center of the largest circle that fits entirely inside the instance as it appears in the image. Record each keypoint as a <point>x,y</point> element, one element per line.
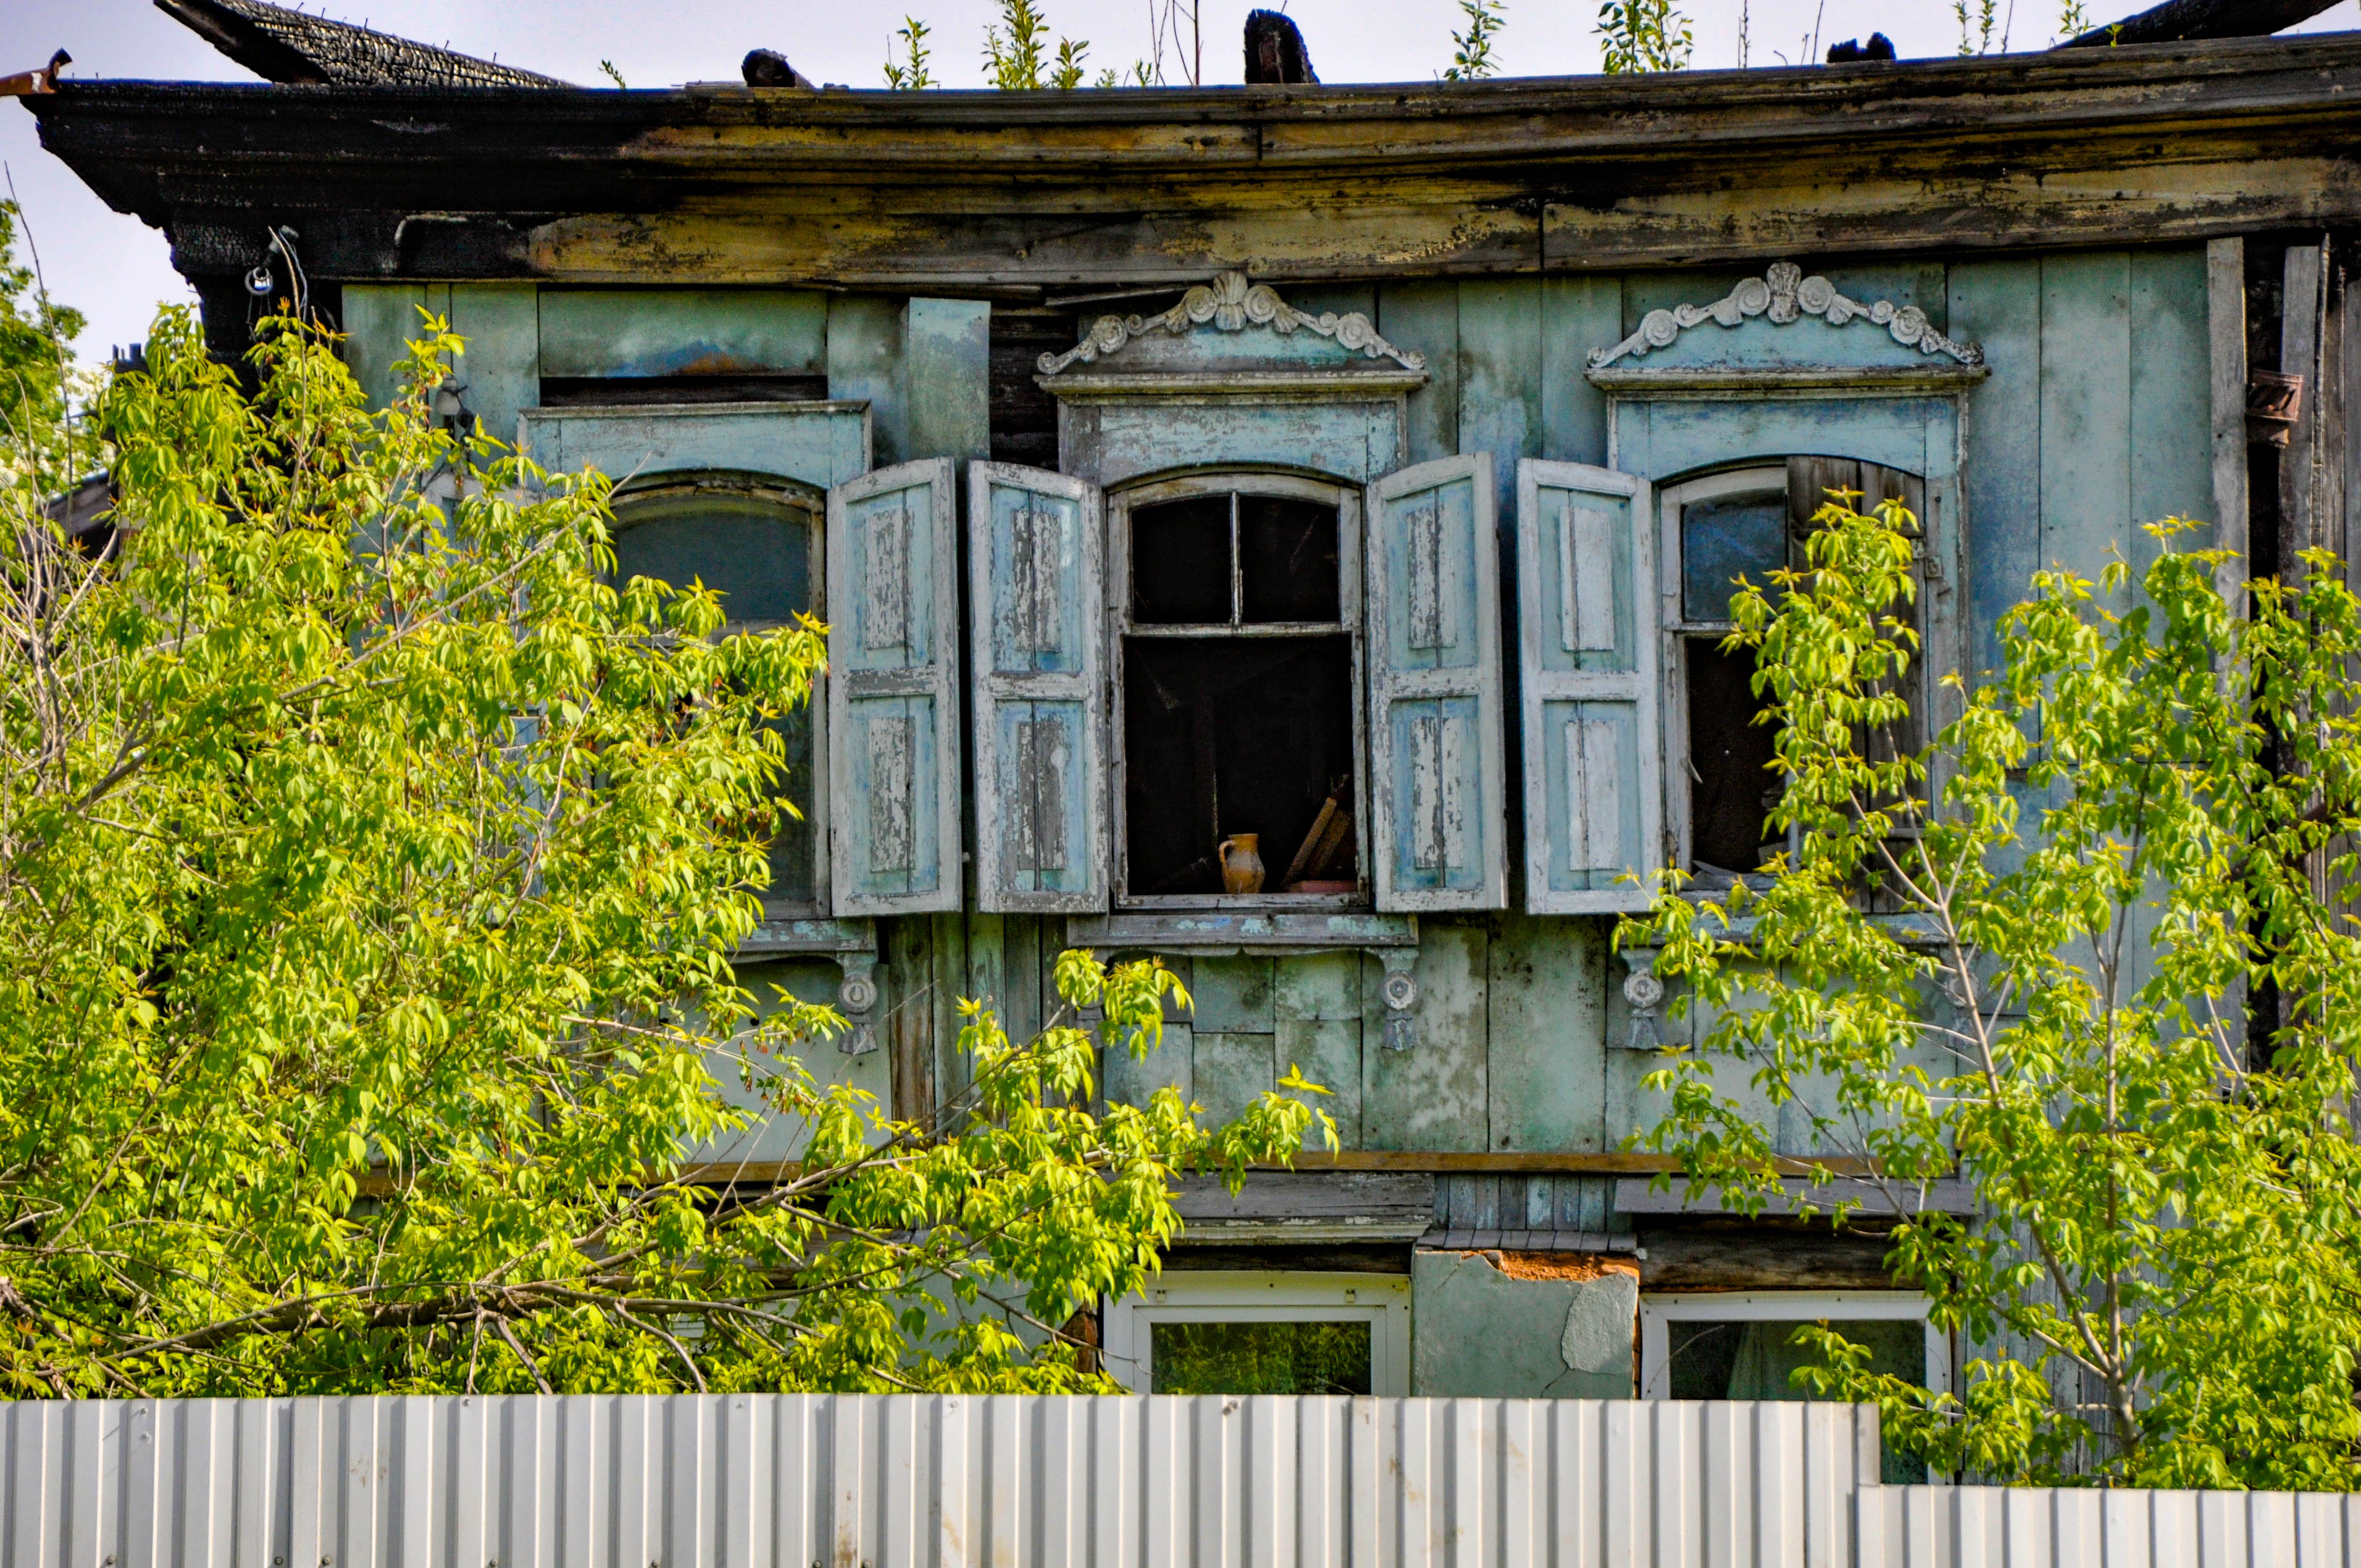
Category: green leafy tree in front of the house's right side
<point>2091,868</point>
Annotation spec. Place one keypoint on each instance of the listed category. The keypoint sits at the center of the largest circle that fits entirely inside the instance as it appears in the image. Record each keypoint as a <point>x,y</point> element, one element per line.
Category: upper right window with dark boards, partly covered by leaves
<point>1720,530</point>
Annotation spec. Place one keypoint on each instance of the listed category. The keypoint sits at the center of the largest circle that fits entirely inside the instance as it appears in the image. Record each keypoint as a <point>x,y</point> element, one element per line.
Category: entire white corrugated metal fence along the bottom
<point>1007,1482</point>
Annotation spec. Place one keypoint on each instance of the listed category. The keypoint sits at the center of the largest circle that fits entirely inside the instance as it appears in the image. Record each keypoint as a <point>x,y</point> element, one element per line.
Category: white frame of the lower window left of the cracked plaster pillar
<point>1262,1298</point>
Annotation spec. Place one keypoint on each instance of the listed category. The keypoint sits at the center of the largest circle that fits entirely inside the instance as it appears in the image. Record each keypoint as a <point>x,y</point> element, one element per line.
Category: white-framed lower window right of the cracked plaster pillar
<point>1741,1347</point>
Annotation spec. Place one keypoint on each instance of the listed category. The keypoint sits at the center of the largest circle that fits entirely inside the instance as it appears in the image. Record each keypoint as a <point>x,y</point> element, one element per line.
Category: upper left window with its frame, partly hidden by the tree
<point>759,547</point>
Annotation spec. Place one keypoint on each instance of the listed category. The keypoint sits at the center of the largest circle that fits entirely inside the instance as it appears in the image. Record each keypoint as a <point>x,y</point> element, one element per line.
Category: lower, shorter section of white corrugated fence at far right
<point>1987,1527</point>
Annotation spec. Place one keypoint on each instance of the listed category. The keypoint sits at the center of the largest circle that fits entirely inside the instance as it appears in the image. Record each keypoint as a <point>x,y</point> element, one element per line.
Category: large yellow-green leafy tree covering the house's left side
<point>369,877</point>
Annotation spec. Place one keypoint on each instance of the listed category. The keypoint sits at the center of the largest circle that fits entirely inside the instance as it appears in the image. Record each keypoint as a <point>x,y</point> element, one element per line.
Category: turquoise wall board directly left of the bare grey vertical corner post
<point>2171,398</point>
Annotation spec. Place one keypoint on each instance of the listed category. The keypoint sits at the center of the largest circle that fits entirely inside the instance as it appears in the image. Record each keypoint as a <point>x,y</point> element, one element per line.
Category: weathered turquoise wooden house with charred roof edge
<point>1338,478</point>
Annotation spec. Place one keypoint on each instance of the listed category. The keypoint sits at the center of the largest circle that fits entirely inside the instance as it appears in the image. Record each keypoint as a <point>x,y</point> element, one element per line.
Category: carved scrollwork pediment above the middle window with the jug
<point>1231,334</point>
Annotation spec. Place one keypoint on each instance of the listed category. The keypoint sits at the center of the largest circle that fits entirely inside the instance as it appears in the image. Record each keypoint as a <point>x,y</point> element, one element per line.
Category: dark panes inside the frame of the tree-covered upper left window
<point>757,556</point>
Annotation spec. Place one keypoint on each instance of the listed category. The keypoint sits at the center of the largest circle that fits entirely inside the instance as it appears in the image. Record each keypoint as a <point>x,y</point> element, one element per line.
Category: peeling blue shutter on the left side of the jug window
<point>1035,549</point>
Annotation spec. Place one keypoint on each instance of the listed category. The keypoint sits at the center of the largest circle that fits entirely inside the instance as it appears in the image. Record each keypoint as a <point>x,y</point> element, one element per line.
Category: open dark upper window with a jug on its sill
<point>1238,686</point>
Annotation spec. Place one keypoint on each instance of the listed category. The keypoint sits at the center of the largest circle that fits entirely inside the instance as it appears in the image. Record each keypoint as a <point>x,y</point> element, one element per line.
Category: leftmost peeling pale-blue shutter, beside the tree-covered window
<point>894,691</point>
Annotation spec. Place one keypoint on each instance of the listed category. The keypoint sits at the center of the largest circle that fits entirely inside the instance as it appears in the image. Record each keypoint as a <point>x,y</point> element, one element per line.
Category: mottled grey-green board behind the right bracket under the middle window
<point>1432,1097</point>
